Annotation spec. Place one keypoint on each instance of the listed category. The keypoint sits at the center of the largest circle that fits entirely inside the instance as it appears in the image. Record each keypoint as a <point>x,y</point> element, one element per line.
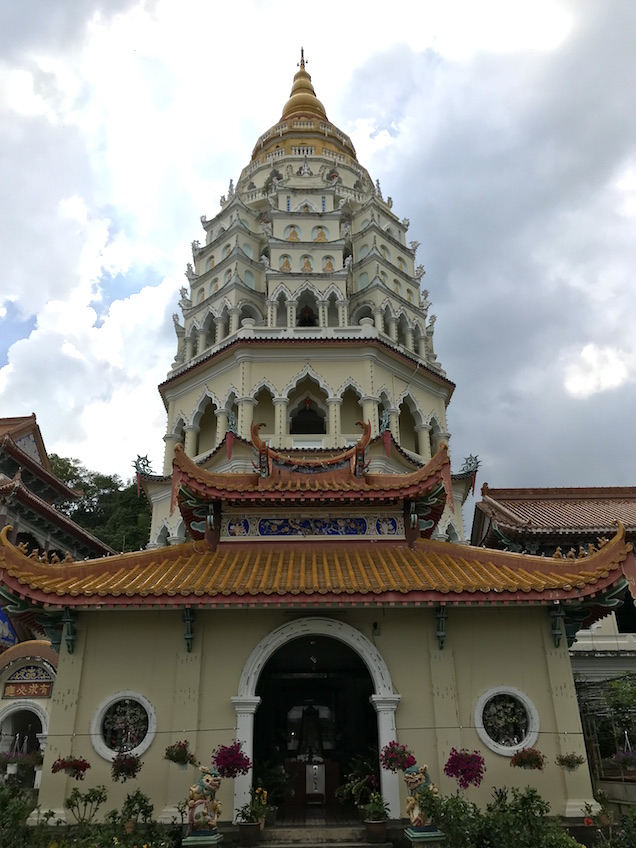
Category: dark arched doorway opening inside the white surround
<point>314,717</point>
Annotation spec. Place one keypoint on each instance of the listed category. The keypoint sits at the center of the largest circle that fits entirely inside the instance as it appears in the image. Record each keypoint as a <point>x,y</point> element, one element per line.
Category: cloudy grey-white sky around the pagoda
<point>505,131</point>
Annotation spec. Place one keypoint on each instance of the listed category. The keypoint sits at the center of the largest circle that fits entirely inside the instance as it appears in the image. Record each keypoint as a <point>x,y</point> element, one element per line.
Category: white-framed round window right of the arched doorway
<point>506,720</point>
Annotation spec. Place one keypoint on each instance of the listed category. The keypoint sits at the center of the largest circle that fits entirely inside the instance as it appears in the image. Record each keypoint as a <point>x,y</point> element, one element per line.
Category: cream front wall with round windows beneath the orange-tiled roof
<point>145,652</point>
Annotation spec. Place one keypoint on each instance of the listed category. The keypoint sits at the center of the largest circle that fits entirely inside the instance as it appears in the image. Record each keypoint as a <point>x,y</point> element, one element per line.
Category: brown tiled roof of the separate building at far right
<point>556,511</point>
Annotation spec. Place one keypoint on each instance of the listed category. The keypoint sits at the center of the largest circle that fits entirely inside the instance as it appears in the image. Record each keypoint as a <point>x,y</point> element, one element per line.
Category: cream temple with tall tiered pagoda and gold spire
<point>308,588</point>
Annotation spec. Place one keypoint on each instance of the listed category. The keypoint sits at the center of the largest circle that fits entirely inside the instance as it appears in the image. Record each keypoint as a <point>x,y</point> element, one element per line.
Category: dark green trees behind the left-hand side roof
<point>107,507</point>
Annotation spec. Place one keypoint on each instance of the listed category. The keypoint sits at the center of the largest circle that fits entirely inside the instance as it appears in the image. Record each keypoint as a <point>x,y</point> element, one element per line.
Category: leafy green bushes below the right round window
<point>522,813</point>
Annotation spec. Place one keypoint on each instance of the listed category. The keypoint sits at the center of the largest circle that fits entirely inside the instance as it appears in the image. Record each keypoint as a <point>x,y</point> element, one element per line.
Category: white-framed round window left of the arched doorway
<point>124,722</point>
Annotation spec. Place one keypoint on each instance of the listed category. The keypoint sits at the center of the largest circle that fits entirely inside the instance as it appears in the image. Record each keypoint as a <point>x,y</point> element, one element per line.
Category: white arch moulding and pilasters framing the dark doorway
<point>384,699</point>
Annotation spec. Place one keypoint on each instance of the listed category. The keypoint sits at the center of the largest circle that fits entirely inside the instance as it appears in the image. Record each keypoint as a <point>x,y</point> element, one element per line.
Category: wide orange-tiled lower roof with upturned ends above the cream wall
<point>317,574</point>
